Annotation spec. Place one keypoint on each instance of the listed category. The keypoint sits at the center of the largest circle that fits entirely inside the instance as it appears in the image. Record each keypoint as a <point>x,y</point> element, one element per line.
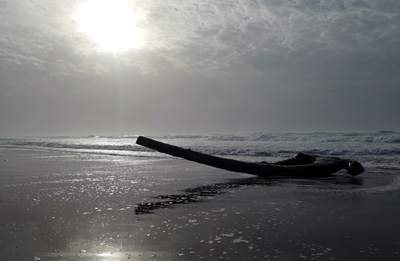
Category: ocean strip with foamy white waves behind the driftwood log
<point>378,150</point>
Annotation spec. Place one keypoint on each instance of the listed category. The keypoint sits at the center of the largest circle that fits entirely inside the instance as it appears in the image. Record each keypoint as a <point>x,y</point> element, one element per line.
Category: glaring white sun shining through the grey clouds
<point>111,24</point>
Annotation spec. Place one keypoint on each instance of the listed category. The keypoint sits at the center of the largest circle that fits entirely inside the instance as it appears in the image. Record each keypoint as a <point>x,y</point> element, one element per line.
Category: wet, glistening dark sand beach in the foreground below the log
<point>63,206</point>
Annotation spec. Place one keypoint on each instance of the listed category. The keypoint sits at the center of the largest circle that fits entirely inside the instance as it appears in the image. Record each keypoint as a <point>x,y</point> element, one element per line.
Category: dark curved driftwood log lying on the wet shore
<point>305,165</point>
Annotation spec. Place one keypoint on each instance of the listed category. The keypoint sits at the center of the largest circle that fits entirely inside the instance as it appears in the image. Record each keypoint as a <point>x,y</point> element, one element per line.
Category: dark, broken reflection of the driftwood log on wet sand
<point>203,193</point>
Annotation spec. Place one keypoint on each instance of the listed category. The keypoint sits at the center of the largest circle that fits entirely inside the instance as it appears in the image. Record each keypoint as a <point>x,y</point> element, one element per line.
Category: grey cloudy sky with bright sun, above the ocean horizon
<point>122,67</point>
